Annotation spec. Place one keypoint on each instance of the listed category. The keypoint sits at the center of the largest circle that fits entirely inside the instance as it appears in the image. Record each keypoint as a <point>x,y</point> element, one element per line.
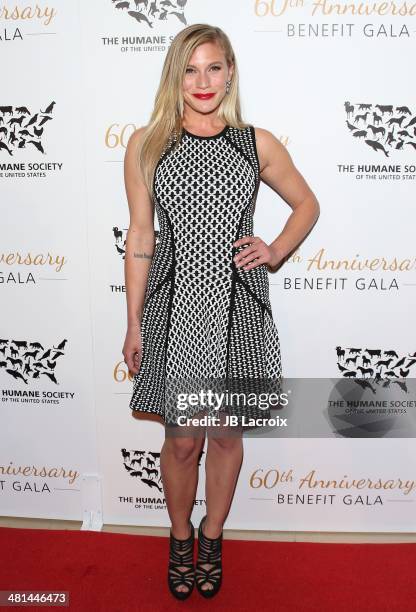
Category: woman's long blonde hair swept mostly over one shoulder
<point>166,118</point>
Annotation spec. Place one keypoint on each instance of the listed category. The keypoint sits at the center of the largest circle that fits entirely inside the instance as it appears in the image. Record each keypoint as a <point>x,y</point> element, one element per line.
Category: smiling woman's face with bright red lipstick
<point>206,73</point>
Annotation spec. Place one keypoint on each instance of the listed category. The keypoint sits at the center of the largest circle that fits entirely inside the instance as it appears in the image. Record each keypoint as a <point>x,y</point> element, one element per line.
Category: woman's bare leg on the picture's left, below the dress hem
<point>179,469</point>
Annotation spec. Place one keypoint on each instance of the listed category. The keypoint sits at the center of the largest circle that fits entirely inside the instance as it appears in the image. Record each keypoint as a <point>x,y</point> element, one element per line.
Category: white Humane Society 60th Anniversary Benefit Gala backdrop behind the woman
<point>332,81</point>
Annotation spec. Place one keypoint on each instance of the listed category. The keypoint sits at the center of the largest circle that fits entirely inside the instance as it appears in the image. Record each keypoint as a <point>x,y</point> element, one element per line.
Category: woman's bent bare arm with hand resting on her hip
<point>279,172</point>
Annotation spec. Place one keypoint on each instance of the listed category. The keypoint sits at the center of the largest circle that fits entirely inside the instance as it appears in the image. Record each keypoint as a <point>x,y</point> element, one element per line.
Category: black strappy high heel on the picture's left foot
<point>181,555</point>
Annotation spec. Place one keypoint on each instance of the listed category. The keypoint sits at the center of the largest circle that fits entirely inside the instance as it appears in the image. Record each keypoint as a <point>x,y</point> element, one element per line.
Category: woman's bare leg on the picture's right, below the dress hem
<point>222,466</point>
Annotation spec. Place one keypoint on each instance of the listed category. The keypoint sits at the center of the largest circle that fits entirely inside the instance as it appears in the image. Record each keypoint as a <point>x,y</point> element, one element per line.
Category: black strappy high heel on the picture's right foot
<point>209,553</point>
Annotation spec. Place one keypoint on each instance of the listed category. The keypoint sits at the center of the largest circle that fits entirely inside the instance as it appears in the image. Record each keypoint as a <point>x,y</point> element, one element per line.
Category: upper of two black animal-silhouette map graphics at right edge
<point>381,126</point>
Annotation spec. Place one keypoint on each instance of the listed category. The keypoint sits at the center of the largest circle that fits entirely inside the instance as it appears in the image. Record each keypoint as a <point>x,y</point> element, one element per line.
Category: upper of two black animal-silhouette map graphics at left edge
<point>23,128</point>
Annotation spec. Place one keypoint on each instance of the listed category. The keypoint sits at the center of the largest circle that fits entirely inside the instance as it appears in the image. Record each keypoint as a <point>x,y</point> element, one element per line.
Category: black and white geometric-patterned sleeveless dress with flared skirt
<point>204,319</point>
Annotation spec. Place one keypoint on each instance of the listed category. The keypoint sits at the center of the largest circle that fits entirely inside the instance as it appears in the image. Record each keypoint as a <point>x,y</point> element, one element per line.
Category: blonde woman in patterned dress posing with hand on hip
<point>197,302</point>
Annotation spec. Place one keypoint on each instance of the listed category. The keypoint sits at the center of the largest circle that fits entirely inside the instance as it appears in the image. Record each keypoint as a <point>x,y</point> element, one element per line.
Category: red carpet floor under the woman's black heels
<point>123,573</point>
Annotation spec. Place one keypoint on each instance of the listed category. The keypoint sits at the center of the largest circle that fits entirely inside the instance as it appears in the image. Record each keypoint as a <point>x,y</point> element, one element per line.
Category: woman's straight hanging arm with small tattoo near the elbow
<point>139,249</point>
